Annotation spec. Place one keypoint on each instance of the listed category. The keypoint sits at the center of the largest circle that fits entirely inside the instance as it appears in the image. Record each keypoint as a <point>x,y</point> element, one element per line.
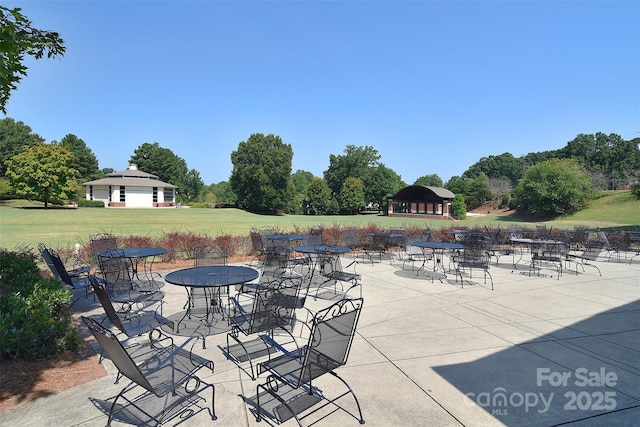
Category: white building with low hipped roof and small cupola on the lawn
<point>131,188</point>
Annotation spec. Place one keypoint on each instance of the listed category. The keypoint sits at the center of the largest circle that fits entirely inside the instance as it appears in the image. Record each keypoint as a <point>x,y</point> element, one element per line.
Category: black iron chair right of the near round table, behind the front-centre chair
<point>273,307</point>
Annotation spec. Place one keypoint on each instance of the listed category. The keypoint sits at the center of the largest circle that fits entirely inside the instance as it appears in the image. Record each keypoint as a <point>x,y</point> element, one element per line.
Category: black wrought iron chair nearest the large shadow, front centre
<point>292,374</point>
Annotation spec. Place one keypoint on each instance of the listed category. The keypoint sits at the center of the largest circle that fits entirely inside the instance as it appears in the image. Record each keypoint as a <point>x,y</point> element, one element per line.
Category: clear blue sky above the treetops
<point>432,85</point>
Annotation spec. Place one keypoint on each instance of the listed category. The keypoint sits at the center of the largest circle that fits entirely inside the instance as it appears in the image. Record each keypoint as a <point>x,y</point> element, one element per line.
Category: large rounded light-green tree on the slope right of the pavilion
<point>554,187</point>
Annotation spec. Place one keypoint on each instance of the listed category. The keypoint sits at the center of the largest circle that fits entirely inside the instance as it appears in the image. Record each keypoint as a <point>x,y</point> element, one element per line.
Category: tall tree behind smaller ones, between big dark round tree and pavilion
<point>354,163</point>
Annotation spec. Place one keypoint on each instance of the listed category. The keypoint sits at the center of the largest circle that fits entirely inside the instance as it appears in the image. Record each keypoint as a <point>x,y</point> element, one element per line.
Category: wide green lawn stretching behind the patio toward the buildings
<point>64,227</point>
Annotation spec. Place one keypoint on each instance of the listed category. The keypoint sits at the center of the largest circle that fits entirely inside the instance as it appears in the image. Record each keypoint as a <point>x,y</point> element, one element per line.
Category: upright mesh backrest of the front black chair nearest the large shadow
<point>331,337</point>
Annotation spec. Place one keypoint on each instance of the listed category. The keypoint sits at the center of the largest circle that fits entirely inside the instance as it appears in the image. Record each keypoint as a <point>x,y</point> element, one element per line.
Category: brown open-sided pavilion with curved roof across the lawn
<point>421,200</point>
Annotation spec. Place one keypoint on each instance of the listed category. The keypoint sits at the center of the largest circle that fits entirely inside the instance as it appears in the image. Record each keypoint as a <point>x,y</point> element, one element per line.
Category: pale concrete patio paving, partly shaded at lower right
<point>535,351</point>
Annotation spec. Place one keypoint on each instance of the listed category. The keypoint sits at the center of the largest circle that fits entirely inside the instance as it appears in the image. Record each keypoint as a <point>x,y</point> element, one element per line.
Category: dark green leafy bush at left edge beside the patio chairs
<point>34,315</point>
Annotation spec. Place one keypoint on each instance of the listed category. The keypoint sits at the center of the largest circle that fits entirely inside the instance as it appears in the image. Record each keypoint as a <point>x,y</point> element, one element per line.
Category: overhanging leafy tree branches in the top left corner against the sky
<point>17,39</point>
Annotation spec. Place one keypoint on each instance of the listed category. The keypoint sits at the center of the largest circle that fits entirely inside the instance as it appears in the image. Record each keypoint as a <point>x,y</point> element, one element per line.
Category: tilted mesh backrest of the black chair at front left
<point>117,353</point>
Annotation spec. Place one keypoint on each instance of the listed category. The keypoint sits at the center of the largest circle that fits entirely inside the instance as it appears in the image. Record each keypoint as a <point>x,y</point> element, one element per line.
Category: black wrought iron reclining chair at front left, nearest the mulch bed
<point>167,373</point>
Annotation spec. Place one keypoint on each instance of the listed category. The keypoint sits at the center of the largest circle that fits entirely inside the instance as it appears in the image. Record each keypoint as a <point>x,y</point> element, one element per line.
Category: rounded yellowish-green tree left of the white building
<point>43,172</point>
